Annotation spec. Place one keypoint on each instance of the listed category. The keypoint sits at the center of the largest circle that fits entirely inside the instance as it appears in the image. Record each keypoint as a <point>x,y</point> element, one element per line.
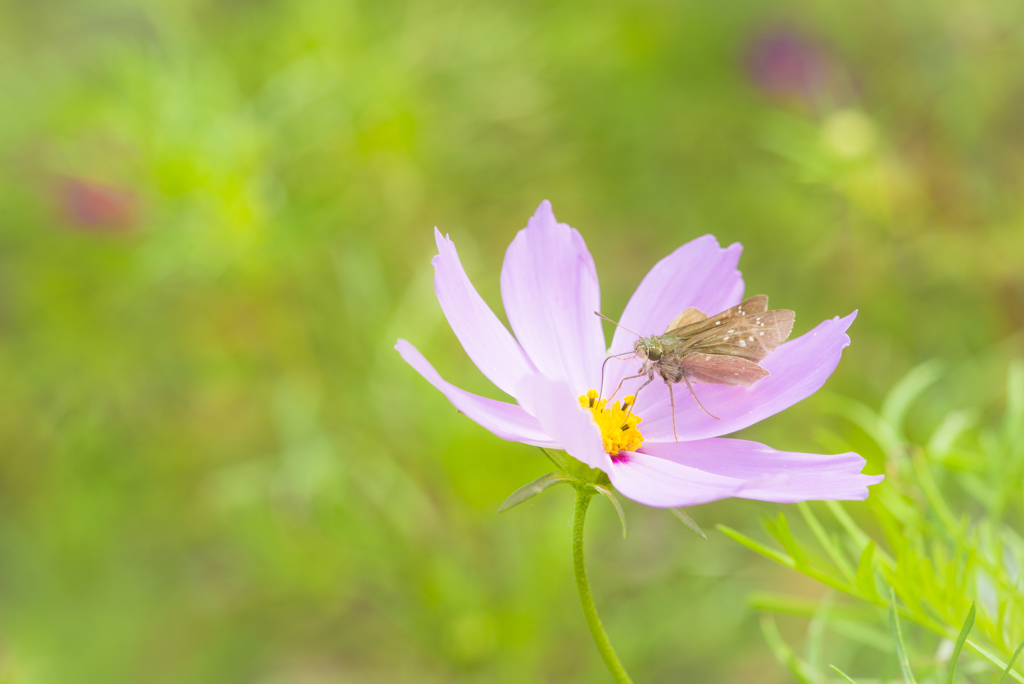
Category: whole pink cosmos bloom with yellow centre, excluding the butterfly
<point>550,292</point>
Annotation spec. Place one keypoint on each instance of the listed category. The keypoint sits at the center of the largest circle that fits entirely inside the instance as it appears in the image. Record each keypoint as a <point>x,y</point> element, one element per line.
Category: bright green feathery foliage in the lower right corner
<point>945,560</point>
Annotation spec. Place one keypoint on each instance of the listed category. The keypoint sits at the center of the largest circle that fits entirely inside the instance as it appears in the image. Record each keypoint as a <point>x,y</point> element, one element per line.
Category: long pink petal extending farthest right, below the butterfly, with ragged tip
<point>784,478</point>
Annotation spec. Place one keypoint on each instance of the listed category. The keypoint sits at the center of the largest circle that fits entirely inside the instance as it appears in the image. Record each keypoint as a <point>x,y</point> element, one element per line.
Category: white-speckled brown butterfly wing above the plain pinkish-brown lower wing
<point>753,337</point>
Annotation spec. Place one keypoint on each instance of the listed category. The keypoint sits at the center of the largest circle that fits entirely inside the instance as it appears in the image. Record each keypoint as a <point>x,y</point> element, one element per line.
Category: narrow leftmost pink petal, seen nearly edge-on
<point>505,420</point>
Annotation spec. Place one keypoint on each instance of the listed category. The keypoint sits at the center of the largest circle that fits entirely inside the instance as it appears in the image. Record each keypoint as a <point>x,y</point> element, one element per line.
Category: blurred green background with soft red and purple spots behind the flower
<point>217,219</point>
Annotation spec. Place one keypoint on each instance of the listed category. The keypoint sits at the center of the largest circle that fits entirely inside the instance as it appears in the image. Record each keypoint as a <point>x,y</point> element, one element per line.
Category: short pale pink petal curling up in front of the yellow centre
<point>561,416</point>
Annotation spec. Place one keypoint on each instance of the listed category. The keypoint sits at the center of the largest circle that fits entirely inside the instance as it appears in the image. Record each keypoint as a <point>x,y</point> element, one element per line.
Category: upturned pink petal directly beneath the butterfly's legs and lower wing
<point>798,368</point>
